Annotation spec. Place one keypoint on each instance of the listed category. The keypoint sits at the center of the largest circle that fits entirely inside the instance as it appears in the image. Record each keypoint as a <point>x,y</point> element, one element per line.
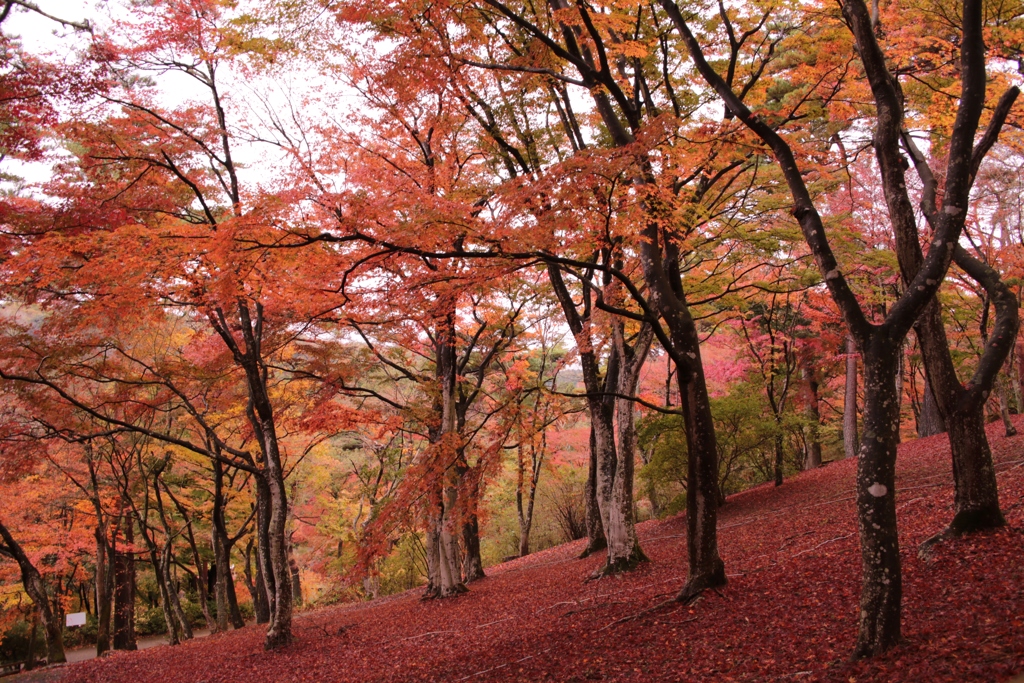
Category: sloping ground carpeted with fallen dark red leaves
<point>789,613</point>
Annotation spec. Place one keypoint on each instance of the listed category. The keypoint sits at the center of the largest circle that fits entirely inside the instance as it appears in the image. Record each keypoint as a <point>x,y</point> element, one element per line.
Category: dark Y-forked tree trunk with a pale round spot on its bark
<point>880,344</point>
